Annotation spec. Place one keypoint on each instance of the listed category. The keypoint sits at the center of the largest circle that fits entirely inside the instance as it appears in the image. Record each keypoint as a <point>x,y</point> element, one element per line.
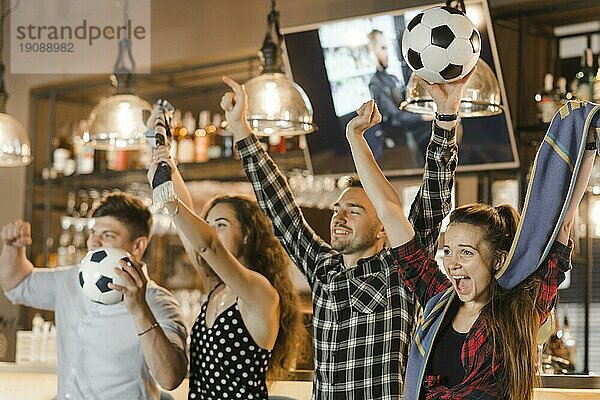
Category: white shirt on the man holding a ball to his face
<point>99,351</point>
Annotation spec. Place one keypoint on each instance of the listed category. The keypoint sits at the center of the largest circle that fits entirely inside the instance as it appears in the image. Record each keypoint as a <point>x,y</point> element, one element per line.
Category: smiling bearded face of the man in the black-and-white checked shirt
<point>354,226</point>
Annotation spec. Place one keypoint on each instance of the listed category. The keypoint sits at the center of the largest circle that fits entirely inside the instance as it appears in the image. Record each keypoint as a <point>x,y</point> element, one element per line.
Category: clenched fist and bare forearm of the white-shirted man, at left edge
<point>14,264</point>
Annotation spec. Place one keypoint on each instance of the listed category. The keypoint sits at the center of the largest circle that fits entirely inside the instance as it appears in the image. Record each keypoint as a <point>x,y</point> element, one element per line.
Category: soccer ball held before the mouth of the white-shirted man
<point>97,271</point>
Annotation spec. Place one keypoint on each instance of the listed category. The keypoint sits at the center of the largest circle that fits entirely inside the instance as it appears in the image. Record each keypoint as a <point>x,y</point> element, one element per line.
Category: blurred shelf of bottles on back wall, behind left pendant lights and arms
<point>196,143</point>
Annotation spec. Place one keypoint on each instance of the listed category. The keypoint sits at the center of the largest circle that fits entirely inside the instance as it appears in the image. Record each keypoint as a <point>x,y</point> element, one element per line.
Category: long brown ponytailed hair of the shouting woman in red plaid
<point>511,315</point>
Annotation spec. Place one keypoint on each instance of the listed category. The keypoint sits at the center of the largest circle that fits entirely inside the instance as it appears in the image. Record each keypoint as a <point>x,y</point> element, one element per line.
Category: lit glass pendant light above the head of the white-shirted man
<point>119,121</point>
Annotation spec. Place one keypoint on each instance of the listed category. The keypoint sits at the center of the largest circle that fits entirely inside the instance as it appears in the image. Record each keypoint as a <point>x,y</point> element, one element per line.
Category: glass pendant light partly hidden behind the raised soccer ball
<point>481,95</point>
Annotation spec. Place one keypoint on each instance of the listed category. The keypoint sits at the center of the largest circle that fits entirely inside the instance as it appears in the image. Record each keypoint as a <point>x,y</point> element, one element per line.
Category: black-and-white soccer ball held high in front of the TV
<point>441,44</point>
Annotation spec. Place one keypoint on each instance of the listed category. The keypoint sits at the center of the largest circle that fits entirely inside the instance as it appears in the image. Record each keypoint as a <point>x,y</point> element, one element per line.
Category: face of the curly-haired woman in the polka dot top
<point>223,218</point>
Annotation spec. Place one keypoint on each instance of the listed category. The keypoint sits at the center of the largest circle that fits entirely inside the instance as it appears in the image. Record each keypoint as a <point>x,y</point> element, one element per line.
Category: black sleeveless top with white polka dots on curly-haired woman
<point>226,363</point>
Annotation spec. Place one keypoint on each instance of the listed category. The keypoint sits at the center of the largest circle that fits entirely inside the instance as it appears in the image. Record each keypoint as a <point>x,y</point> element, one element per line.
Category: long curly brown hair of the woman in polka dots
<point>265,255</point>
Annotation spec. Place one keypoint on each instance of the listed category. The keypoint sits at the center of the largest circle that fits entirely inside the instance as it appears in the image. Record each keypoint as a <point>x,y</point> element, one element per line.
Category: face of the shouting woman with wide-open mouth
<point>468,262</point>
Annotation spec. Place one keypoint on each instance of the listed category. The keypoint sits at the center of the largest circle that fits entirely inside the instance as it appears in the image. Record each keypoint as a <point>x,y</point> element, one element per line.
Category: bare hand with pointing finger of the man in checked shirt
<point>235,105</point>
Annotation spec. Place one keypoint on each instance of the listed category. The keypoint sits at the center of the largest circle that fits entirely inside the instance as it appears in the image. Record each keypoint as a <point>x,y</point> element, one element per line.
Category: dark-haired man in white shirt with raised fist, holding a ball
<point>118,351</point>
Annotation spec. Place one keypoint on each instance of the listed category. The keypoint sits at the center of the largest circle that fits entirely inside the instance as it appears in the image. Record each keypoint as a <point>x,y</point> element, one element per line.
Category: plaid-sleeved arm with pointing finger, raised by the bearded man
<point>273,193</point>
